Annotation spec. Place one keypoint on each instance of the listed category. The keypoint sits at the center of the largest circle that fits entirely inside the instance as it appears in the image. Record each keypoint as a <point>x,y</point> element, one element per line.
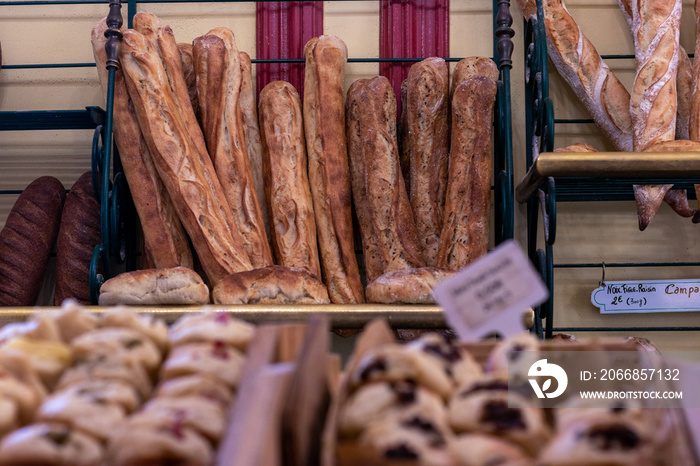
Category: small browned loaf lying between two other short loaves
<point>271,285</point>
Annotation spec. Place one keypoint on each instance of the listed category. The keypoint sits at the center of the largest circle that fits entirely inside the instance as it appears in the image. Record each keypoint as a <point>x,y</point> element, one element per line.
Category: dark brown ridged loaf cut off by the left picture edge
<point>27,239</point>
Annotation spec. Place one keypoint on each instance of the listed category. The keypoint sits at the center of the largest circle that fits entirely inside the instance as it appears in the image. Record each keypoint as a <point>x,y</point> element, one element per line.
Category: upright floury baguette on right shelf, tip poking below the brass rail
<point>653,102</point>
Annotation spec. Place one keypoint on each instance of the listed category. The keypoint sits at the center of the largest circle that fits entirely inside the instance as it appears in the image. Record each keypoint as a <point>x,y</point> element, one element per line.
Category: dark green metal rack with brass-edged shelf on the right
<point>581,177</point>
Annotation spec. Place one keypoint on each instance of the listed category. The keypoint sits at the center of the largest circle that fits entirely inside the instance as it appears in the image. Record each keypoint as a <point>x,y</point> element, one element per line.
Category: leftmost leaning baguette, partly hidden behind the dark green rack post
<point>164,238</point>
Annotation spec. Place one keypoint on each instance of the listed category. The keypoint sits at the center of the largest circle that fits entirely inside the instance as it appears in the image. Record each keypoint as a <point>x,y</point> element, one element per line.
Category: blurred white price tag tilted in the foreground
<point>491,294</point>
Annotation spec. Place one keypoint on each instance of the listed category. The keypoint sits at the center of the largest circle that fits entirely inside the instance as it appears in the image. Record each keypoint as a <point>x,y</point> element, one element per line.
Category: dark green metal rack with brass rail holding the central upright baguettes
<point>119,218</point>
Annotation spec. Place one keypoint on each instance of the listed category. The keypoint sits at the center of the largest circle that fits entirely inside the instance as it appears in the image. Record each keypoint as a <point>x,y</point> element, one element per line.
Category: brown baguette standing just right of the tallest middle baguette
<point>386,221</point>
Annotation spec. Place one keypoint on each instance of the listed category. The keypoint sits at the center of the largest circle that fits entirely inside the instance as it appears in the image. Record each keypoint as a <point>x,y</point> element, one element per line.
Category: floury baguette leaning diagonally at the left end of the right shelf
<point>579,63</point>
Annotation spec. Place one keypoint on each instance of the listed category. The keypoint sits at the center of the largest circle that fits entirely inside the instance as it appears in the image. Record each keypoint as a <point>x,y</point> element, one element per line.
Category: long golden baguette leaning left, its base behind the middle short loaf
<point>217,64</point>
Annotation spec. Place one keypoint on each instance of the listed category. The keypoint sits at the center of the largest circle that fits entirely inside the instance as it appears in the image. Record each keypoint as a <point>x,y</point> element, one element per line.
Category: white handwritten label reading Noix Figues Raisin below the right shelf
<point>647,296</point>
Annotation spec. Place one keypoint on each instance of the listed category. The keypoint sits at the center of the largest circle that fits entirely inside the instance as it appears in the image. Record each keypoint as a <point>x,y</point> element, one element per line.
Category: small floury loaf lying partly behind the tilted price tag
<point>412,286</point>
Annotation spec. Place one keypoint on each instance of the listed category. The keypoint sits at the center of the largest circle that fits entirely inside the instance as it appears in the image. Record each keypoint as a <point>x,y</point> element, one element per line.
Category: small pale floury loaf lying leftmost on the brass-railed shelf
<point>178,285</point>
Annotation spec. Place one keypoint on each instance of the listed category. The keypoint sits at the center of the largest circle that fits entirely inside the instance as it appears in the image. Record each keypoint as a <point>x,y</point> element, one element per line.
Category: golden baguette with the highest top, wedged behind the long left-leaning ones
<point>162,40</point>
